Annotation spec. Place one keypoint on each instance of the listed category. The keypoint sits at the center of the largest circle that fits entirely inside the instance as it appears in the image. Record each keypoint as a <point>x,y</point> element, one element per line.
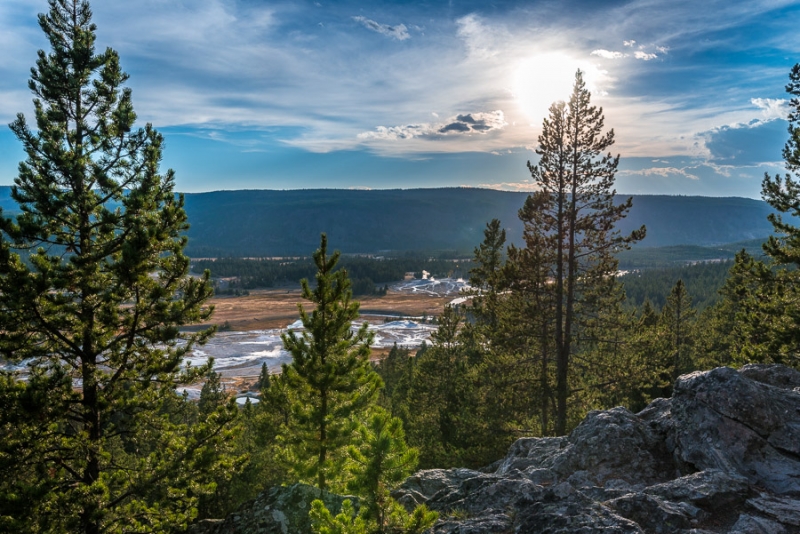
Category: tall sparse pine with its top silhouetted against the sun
<point>574,211</point>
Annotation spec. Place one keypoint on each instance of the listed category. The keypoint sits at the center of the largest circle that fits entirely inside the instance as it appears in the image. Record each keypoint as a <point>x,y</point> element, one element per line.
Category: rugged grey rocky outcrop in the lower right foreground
<point>722,455</point>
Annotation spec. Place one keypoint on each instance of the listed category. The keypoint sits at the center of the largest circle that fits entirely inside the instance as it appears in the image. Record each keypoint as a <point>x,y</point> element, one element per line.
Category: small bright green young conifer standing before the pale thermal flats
<point>331,379</point>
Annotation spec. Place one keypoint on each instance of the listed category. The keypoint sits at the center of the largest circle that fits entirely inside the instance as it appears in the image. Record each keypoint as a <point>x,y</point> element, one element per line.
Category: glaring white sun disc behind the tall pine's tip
<point>545,78</point>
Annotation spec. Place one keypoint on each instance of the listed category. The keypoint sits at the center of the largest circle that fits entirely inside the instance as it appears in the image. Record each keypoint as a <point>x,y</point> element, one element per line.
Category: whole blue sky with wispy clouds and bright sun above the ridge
<point>251,94</point>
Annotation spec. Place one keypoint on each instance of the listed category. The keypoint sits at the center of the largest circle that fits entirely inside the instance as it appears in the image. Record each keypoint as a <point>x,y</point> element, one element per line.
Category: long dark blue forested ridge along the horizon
<point>274,223</point>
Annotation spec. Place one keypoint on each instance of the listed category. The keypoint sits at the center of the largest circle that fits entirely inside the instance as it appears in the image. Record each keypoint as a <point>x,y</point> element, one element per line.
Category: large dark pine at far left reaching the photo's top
<point>94,287</point>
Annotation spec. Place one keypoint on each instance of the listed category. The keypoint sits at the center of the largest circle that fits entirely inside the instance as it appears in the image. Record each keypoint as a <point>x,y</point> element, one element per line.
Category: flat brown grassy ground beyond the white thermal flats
<point>277,308</point>
